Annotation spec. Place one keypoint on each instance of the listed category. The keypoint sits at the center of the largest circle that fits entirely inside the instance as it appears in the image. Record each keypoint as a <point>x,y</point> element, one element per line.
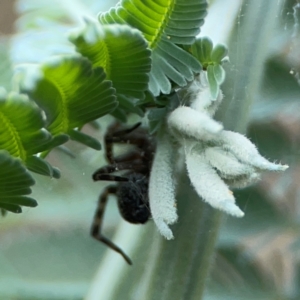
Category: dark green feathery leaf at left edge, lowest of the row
<point>15,182</point>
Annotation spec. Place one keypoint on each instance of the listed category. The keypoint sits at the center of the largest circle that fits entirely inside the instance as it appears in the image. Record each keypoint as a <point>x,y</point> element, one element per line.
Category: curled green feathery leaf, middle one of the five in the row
<point>71,93</point>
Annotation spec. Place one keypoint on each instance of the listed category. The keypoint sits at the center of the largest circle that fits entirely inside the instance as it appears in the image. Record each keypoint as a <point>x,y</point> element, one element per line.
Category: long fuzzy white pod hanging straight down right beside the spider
<point>162,187</point>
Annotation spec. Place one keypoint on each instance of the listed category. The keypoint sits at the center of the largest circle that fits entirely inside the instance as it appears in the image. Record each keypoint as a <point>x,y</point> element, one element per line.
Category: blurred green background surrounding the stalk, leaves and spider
<point>47,253</point>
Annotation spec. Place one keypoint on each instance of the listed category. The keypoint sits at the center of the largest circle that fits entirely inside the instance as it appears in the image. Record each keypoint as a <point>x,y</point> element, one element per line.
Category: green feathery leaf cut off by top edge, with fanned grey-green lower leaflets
<point>164,24</point>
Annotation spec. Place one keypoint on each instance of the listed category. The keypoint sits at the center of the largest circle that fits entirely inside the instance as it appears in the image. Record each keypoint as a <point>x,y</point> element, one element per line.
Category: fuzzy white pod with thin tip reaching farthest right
<point>246,152</point>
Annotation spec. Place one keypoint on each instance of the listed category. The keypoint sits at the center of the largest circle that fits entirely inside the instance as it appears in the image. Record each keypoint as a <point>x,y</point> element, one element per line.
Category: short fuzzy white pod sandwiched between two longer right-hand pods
<point>226,163</point>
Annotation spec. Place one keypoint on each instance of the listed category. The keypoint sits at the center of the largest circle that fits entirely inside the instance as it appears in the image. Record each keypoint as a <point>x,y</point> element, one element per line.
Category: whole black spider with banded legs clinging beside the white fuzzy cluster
<point>132,187</point>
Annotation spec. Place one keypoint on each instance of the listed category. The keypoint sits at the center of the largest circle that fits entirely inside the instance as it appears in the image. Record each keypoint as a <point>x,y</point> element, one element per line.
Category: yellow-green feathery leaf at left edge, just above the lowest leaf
<point>22,131</point>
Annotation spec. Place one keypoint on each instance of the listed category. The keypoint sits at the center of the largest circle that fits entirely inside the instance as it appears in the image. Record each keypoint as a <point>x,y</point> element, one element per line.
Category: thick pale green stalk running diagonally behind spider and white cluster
<point>179,269</point>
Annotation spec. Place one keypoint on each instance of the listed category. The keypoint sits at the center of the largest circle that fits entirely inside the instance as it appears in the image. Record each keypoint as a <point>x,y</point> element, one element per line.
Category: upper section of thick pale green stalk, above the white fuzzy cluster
<point>248,50</point>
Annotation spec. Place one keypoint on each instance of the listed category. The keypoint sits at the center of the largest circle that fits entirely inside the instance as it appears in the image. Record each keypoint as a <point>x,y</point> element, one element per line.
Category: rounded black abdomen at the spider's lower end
<point>133,199</point>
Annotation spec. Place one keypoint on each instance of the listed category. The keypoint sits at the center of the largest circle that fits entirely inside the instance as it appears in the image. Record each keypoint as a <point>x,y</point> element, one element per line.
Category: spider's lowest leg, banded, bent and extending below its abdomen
<point>97,222</point>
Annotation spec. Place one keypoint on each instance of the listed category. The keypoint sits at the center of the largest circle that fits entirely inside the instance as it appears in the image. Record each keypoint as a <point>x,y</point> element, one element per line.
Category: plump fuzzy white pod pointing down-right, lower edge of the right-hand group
<point>209,185</point>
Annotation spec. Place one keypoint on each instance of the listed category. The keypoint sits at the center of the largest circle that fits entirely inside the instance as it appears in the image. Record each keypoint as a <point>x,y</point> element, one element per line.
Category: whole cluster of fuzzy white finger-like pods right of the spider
<point>216,160</point>
